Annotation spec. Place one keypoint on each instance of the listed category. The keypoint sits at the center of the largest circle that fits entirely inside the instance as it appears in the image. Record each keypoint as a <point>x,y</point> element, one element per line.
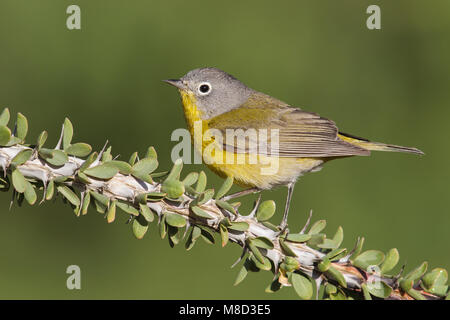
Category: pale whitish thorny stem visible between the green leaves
<point>127,188</point>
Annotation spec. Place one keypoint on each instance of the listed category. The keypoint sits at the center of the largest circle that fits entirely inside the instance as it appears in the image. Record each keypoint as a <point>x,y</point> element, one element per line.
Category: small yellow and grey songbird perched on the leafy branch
<point>219,103</point>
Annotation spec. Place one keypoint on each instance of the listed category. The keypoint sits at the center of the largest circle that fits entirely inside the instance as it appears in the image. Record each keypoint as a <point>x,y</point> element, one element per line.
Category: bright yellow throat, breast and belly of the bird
<point>264,173</point>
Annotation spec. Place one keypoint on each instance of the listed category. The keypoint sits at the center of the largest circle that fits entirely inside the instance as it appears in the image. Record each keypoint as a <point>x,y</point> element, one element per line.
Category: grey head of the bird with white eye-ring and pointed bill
<point>216,91</point>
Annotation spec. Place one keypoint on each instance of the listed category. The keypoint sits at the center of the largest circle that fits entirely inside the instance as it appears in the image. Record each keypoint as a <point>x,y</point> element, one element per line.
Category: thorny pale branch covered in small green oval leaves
<point>314,265</point>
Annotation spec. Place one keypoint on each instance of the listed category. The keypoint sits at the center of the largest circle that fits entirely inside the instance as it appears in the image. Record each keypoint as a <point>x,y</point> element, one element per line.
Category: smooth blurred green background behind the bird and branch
<point>389,85</point>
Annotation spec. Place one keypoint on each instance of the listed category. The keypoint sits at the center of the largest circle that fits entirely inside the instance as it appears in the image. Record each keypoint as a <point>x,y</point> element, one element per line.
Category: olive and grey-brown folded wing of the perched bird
<point>267,126</point>
